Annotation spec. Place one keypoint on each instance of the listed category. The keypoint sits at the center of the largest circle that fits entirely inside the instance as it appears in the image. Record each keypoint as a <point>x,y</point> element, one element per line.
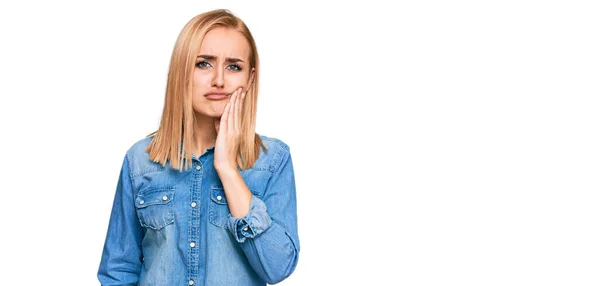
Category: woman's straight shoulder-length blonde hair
<point>174,138</point>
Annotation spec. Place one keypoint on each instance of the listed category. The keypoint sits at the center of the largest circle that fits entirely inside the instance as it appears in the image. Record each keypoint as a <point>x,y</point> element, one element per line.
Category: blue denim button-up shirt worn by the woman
<point>174,228</point>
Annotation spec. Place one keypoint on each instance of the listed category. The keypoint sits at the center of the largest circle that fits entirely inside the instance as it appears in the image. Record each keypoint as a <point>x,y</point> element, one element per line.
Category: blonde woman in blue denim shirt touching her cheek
<point>205,200</point>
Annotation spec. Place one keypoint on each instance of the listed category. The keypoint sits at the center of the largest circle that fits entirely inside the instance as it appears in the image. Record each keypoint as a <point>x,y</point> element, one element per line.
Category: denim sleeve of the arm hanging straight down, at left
<point>122,256</point>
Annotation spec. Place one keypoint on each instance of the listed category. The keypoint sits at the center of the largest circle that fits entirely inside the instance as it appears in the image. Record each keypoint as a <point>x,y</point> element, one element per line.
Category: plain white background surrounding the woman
<point>434,142</point>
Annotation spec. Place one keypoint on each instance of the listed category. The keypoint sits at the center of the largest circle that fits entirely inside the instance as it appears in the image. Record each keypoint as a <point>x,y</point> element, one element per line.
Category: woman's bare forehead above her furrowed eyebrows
<point>225,42</point>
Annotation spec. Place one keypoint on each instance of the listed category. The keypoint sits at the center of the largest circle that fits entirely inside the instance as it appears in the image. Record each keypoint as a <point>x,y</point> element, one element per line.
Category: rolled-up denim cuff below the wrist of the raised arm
<point>255,222</point>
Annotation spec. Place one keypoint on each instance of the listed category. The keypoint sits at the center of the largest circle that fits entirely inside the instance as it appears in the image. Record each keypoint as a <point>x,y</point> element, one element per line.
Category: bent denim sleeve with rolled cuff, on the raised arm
<point>268,233</point>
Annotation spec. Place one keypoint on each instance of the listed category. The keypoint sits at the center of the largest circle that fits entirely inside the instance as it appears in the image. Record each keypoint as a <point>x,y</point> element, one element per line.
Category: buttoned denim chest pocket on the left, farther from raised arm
<point>154,207</point>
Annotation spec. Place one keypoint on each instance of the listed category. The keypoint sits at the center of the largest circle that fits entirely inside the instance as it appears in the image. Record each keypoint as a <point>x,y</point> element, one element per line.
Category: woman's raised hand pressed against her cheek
<point>229,133</point>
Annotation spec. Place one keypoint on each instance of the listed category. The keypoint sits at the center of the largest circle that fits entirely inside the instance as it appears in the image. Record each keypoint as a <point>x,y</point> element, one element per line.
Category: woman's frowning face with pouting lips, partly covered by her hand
<point>221,67</point>
